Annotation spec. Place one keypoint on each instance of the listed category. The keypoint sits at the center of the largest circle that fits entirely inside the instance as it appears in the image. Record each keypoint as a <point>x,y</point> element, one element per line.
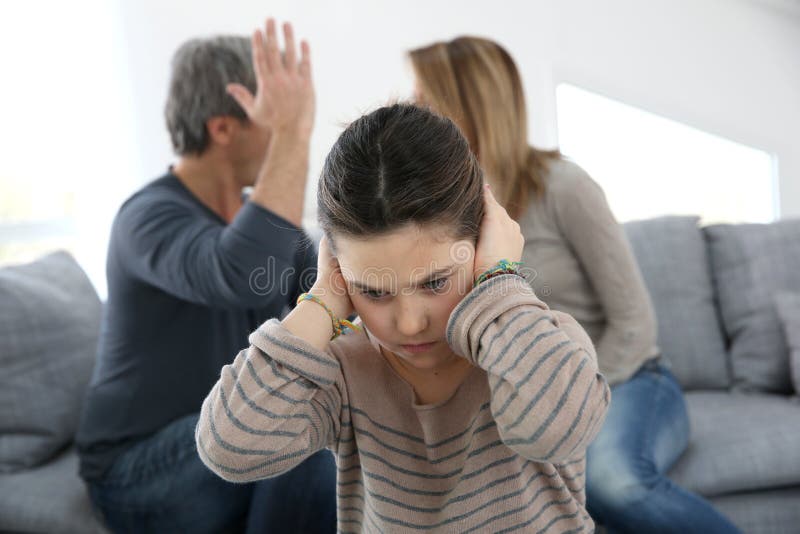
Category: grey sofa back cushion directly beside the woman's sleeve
<point>672,257</point>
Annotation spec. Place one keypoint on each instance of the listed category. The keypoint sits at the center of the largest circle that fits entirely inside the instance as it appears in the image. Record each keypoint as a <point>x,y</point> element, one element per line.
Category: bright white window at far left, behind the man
<point>67,136</point>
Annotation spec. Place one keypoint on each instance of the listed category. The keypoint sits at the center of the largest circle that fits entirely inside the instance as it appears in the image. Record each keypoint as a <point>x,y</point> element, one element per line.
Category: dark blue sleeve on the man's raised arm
<point>246,264</point>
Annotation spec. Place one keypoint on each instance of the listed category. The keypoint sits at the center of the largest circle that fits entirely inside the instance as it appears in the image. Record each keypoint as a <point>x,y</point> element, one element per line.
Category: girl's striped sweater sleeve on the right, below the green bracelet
<point>548,397</point>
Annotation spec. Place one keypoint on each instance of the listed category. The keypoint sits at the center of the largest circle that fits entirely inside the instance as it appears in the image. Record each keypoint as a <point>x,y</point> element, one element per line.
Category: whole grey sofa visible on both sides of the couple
<point>714,289</point>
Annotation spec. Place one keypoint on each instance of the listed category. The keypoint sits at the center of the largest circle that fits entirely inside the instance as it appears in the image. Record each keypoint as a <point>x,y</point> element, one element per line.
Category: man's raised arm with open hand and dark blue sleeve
<point>245,263</point>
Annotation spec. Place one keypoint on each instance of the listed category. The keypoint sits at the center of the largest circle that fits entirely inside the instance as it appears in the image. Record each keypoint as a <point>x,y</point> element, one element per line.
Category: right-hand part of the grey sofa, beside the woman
<point>716,292</point>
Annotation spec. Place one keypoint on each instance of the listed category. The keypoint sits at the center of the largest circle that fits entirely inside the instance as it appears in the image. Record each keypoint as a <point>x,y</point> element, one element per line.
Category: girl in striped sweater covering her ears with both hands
<point>464,403</point>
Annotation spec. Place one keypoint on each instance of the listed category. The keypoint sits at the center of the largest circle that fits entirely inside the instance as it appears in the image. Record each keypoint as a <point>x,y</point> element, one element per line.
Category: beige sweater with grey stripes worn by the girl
<point>505,453</point>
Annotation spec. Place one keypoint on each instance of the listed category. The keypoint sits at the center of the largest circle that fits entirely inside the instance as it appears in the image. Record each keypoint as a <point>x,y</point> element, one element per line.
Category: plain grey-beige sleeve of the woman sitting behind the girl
<point>599,243</point>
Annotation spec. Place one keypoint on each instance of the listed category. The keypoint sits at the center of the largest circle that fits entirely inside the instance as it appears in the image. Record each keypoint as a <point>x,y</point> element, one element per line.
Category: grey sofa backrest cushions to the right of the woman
<point>715,292</point>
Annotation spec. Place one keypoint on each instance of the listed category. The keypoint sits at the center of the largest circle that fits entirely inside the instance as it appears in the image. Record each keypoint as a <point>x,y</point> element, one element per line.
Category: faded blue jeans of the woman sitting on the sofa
<point>645,432</point>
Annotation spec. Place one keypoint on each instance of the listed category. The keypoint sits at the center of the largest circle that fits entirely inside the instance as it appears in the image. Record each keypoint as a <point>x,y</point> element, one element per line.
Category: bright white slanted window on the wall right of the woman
<point>651,166</point>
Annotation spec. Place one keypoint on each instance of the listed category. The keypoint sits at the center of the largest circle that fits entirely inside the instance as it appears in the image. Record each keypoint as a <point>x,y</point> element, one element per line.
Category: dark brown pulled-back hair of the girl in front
<point>400,165</point>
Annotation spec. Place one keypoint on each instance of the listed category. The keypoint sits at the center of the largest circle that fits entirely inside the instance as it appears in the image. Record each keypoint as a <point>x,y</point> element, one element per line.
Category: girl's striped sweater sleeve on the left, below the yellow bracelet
<point>276,405</point>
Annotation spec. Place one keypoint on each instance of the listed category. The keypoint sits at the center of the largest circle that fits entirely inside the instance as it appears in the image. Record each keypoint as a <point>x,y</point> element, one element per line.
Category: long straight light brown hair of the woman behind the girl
<point>474,81</point>
